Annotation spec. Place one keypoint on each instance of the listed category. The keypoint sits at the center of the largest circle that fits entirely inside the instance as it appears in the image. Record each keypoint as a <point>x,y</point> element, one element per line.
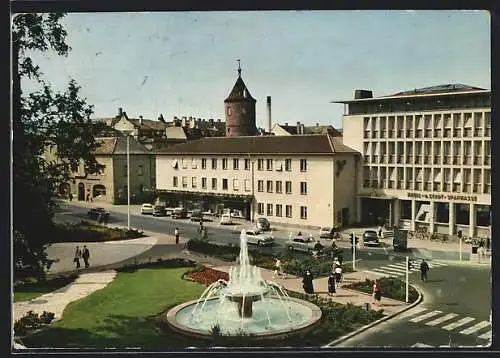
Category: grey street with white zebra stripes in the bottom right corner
<point>455,311</point>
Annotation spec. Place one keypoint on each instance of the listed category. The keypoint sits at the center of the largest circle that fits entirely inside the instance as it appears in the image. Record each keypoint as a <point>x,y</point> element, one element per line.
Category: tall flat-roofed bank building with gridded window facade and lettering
<point>426,158</point>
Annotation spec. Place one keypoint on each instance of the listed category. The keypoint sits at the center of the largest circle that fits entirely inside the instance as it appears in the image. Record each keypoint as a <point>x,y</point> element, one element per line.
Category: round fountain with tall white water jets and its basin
<point>245,303</point>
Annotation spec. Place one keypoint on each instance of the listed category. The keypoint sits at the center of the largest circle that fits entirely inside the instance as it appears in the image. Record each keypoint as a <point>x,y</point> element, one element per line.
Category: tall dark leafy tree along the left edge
<point>43,118</point>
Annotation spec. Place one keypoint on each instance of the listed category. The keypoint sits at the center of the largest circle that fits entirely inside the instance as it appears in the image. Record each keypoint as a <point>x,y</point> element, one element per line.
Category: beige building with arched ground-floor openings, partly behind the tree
<point>111,184</point>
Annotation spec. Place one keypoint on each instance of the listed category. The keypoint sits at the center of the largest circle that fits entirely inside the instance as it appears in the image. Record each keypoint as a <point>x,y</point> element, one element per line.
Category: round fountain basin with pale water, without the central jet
<point>303,315</point>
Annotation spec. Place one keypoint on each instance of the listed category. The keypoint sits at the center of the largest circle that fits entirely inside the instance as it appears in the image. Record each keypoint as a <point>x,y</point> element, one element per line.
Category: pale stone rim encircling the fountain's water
<point>174,324</point>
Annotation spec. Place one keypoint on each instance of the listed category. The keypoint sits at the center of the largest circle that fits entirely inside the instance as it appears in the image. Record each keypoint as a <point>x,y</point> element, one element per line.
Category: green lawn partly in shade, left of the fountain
<point>122,314</point>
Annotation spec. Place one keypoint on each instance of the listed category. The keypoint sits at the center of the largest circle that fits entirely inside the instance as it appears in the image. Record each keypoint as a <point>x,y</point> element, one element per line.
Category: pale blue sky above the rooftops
<point>184,63</point>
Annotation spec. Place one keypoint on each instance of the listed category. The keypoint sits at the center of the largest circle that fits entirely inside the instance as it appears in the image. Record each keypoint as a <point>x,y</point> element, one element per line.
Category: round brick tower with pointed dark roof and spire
<point>239,108</point>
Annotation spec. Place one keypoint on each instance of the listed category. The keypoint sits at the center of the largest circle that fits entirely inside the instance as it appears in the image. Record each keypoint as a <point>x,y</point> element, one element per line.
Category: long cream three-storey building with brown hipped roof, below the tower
<point>304,180</point>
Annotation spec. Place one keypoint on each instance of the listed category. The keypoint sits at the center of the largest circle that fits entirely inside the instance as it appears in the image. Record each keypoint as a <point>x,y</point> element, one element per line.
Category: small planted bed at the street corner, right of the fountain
<point>391,287</point>
